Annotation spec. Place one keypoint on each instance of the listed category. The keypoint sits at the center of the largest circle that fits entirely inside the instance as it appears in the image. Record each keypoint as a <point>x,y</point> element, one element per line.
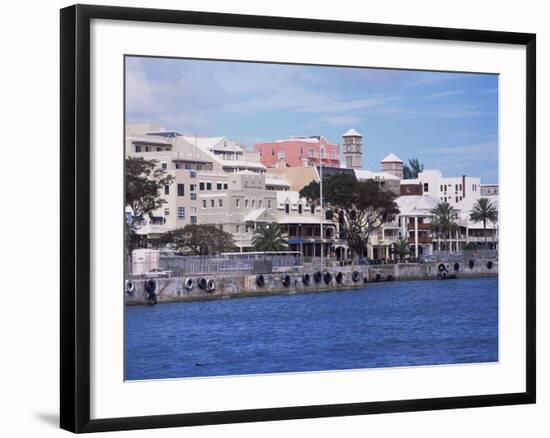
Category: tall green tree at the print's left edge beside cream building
<point>144,180</point>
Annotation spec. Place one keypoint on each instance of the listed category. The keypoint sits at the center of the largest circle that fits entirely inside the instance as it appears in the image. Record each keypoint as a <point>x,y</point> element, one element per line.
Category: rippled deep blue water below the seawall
<point>384,325</point>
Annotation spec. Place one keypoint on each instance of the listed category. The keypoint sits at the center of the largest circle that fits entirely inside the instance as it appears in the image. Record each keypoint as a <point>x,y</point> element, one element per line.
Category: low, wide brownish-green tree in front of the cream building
<point>203,239</point>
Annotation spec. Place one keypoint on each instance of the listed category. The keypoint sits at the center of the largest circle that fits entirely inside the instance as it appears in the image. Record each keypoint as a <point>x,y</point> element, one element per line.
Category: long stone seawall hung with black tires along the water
<point>344,278</point>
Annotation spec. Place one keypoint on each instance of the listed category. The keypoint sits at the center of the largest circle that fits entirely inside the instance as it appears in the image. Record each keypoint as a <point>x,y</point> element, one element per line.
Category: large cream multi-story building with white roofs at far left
<point>215,182</point>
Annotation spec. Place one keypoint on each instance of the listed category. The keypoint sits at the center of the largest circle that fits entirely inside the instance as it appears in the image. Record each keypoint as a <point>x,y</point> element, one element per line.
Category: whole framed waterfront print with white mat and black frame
<point>270,218</point>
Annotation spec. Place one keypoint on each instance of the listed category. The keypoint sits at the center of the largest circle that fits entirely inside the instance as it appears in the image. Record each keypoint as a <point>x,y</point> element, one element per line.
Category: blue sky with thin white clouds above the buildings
<point>449,121</point>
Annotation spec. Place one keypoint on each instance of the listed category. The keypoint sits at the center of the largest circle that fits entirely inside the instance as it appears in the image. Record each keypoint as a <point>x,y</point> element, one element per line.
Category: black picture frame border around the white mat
<point>75,217</point>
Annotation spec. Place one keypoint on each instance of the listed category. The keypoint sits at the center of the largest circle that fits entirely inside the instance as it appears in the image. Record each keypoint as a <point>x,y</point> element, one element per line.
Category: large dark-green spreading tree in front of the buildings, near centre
<point>361,205</point>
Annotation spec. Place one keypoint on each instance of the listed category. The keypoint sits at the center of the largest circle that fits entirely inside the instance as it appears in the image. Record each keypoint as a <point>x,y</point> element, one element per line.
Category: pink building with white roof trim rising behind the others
<point>299,151</point>
